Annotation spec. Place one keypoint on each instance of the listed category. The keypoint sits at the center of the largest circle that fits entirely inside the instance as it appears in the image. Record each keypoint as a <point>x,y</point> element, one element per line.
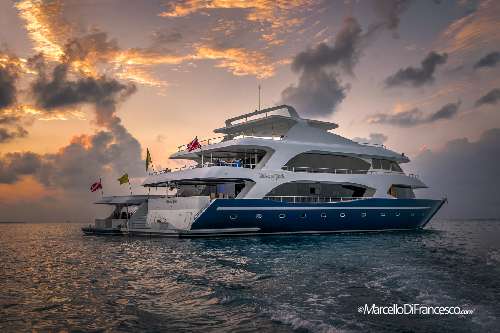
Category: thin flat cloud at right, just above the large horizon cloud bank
<point>415,116</point>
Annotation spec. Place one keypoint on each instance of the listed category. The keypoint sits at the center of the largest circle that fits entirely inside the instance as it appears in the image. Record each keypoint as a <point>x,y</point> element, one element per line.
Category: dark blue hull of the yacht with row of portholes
<point>259,216</point>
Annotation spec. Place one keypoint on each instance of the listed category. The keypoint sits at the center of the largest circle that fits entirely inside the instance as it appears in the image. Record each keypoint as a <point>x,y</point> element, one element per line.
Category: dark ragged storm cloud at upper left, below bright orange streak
<point>58,91</point>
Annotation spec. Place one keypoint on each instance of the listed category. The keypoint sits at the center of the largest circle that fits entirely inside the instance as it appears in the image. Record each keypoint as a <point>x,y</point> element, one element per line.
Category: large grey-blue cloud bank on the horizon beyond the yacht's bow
<point>466,172</point>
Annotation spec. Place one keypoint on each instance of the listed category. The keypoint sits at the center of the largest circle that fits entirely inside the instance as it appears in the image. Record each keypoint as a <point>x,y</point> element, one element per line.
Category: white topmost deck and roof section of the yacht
<point>277,128</point>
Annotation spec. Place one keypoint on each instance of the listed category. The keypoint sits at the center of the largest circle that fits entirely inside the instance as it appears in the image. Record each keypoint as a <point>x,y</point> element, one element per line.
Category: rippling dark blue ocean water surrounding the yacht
<point>54,279</point>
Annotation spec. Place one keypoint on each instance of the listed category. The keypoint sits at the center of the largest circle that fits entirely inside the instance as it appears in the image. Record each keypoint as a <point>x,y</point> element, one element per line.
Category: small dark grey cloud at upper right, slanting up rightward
<point>417,77</point>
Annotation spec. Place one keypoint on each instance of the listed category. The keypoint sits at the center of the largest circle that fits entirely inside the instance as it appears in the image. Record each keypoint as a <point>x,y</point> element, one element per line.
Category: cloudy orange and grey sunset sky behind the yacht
<point>87,85</point>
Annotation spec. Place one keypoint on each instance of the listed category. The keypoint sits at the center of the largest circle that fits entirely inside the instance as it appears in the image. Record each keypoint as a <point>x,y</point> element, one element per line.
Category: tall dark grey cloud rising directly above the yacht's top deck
<point>319,89</point>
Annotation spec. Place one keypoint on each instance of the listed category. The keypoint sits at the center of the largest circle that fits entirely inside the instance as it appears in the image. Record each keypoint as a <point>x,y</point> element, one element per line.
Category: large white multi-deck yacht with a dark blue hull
<point>274,172</point>
